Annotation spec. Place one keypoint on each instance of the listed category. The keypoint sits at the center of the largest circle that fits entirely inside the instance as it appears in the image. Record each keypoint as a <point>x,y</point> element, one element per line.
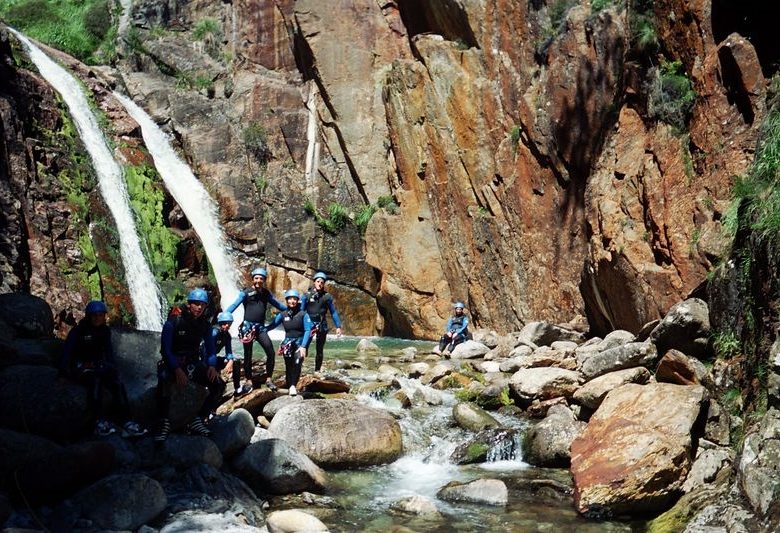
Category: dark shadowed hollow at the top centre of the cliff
<point>442,17</point>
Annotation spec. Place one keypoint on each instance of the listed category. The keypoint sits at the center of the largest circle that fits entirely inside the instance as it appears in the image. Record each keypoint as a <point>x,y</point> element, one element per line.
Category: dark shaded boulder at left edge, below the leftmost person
<point>35,400</point>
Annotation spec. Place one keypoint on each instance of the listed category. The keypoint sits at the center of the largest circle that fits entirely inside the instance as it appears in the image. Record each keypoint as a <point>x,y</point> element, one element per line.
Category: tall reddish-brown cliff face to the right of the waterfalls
<point>533,175</point>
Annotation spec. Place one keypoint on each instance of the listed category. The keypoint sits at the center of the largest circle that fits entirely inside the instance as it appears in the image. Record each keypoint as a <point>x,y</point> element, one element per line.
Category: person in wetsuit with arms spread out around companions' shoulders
<point>256,300</point>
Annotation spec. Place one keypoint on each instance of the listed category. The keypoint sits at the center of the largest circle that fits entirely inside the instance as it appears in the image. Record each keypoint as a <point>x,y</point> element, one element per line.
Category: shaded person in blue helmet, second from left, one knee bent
<point>181,362</point>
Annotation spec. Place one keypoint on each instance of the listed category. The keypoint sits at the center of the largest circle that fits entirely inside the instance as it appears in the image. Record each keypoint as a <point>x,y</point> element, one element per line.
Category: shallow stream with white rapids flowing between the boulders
<point>363,497</point>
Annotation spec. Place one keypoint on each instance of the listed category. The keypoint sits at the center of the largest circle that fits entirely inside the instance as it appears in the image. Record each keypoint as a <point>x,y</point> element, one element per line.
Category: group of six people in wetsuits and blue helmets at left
<point>189,346</point>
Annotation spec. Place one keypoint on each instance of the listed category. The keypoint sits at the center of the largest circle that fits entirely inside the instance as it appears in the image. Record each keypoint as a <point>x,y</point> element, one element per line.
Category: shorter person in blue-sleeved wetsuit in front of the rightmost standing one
<point>297,332</point>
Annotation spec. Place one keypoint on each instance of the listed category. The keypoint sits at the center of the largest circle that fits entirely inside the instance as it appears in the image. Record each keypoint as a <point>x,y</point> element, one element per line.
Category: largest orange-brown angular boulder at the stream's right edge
<point>633,457</point>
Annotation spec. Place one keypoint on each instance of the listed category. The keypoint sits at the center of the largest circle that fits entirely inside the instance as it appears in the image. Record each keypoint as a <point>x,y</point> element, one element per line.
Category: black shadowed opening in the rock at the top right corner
<point>756,21</point>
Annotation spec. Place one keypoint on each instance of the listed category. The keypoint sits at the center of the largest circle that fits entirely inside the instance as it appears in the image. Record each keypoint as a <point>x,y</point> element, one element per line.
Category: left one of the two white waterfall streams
<point>144,292</point>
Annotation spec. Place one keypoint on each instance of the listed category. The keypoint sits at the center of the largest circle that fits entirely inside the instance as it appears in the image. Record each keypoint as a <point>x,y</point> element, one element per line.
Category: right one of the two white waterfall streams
<point>194,200</point>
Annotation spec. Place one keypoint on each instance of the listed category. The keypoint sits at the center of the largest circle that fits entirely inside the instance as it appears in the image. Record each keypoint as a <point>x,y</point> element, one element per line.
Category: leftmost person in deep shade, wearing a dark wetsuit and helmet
<point>88,358</point>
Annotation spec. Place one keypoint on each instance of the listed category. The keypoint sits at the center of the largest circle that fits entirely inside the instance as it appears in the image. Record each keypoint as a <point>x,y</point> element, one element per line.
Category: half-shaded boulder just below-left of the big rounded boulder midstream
<point>272,465</point>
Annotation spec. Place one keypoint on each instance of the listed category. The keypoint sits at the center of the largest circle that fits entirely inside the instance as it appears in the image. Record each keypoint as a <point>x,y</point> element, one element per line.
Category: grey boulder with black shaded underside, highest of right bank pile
<point>686,327</point>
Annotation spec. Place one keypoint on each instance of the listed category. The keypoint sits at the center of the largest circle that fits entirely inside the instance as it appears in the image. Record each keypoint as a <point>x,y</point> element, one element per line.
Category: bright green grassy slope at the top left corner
<point>82,28</point>
